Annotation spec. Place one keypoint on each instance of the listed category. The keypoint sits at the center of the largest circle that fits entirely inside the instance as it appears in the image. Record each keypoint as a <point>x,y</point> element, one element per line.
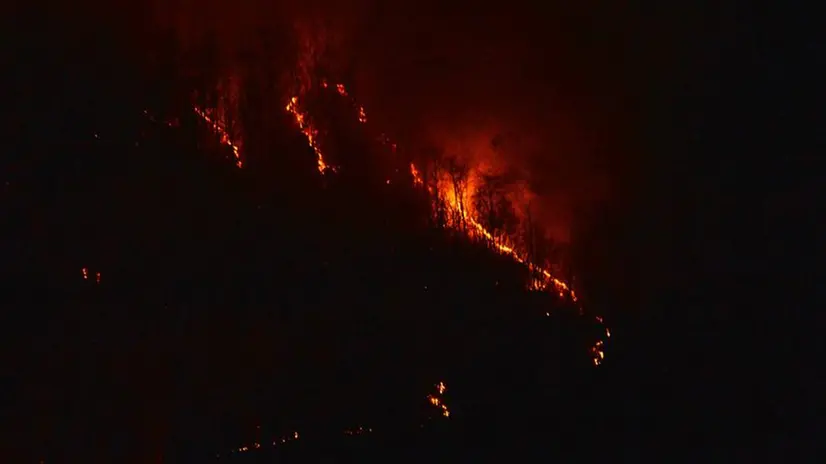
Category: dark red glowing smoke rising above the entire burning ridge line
<point>508,89</point>
